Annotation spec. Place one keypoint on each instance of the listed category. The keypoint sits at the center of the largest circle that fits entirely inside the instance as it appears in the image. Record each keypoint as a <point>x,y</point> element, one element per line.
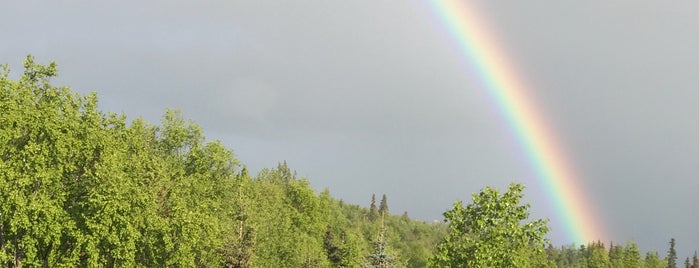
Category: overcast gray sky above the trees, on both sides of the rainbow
<point>370,97</point>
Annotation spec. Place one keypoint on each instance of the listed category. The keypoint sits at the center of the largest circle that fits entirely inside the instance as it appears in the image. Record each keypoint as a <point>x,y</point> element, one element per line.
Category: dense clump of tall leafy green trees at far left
<point>82,188</point>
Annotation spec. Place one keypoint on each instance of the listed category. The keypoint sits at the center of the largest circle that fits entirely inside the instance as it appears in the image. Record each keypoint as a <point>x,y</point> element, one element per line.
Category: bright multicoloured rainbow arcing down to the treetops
<point>554,173</point>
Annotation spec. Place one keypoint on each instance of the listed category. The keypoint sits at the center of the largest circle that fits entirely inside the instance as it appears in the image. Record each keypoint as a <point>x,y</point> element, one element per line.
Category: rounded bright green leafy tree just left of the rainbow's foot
<point>491,232</point>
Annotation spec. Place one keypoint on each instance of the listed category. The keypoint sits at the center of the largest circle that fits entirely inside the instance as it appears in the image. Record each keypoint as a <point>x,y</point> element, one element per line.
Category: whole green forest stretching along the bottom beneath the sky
<point>81,187</point>
